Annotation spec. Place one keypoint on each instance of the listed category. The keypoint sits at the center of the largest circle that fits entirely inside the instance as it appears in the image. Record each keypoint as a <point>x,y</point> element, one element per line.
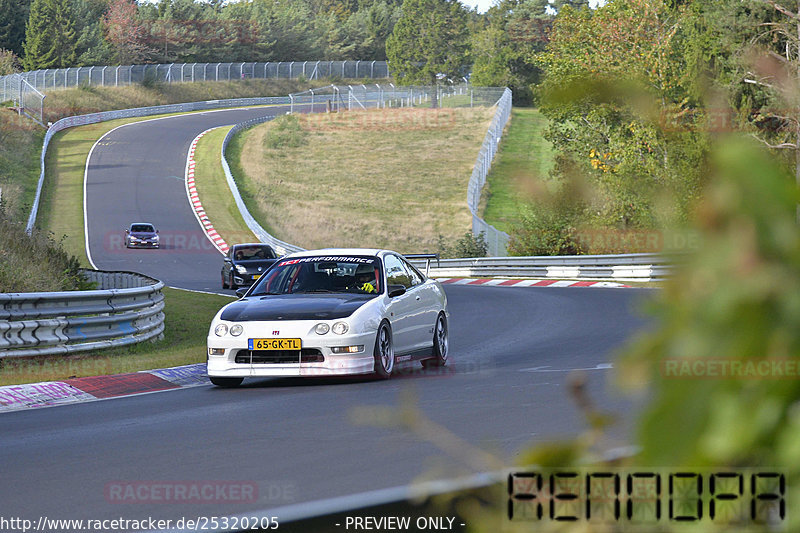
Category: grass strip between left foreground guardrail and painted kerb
<point>188,316</point>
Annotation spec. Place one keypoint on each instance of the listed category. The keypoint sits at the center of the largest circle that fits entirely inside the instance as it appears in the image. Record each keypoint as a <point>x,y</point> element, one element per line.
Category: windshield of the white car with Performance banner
<point>322,274</point>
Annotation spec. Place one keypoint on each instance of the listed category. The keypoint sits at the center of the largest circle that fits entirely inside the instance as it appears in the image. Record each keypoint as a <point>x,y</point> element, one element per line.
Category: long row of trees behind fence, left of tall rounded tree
<point>97,32</point>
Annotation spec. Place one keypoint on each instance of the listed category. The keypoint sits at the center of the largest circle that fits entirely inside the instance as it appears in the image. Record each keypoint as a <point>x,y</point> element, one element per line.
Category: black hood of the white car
<point>295,307</point>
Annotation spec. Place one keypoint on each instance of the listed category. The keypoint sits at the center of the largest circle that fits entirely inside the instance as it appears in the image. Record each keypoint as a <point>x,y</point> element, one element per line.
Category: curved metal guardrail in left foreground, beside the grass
<point>126,308</point>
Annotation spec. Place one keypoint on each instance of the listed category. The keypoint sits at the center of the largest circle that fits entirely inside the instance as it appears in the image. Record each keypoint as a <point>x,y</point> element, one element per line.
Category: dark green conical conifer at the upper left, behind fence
<point>50,39</point>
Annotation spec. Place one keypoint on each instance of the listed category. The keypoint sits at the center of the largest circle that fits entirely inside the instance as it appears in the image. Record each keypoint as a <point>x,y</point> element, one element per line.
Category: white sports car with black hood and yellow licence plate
<point>330,312</point>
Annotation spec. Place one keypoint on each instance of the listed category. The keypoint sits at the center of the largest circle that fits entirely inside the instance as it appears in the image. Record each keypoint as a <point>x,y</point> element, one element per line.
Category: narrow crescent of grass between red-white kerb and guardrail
<point>212,186</point>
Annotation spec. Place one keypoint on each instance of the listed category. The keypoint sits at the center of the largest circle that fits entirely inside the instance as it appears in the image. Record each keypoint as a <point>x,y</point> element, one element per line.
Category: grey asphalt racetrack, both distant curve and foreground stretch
<point>295,440</point>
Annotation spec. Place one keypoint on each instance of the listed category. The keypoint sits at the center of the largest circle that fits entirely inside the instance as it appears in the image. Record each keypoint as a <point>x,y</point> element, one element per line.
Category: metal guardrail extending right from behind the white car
<point>622,267</point>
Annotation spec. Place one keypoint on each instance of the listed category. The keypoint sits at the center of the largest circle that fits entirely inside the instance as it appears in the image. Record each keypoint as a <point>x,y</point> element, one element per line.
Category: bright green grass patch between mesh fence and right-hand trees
<point>521,167</point>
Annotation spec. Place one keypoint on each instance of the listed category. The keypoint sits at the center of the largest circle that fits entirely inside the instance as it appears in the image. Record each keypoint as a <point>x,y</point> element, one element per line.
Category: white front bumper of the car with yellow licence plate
<point>333,364</point>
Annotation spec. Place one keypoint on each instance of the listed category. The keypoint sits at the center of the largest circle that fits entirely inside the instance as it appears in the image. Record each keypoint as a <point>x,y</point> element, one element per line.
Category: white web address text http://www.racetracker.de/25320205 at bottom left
<point>199,523</point>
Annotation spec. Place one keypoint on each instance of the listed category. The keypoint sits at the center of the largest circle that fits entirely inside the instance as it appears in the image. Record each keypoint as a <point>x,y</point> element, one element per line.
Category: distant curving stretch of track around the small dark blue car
<point>136,173</point>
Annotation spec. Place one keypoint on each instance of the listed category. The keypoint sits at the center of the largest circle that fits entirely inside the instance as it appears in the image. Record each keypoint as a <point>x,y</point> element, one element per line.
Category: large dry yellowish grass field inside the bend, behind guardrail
<point>390,178</point>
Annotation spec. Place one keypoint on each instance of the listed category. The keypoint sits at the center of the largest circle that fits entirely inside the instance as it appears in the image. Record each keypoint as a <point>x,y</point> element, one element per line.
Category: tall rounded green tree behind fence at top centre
<point>429,39</point>
